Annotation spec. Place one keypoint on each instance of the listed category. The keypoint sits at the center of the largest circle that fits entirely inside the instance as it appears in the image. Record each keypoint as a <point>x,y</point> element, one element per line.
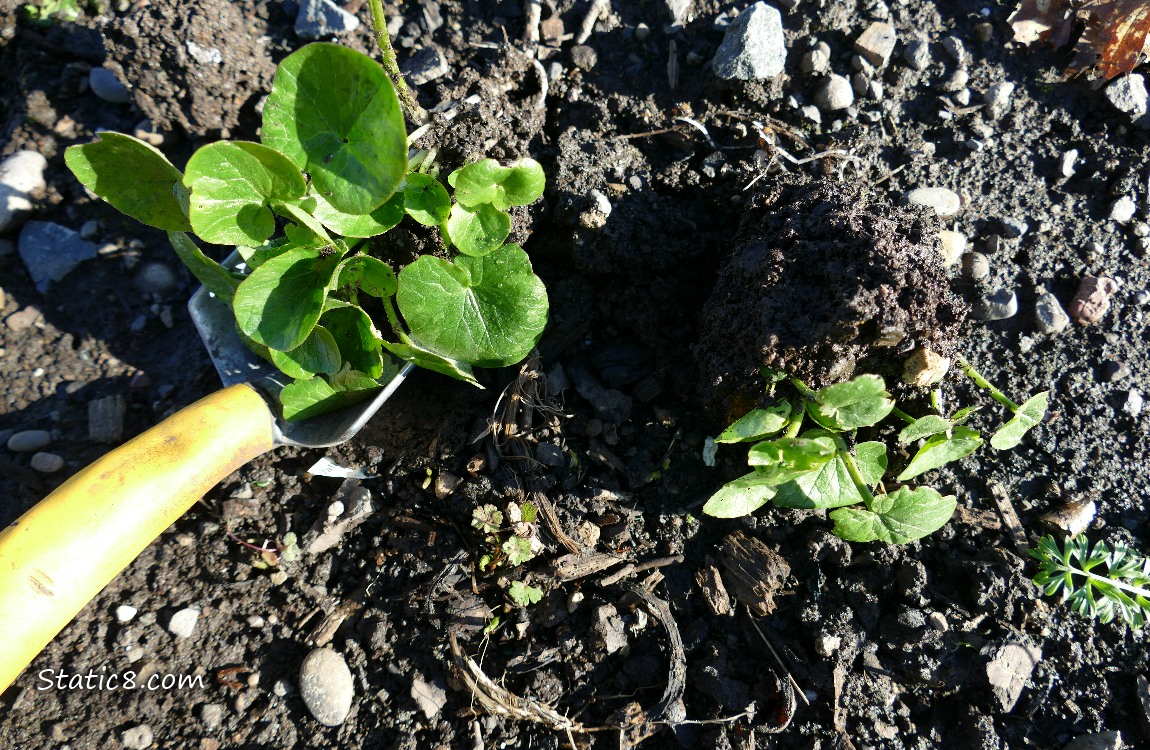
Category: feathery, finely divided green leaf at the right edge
<point>1123,591</point>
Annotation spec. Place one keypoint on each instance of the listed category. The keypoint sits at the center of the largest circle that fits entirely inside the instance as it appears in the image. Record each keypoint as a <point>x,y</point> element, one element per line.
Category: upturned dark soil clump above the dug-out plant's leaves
<point>827,280</point>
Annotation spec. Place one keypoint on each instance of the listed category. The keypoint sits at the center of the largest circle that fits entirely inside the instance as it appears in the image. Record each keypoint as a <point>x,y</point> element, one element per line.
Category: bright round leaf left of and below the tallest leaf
<point>233,185</point>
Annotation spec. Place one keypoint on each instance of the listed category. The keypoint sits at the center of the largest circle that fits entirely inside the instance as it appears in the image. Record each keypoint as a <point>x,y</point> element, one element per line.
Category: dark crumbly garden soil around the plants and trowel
<point>837,646</point>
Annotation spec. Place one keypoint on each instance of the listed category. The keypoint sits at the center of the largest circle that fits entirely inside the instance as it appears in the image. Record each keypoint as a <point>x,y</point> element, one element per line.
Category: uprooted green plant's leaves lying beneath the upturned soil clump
<point>825,468</point>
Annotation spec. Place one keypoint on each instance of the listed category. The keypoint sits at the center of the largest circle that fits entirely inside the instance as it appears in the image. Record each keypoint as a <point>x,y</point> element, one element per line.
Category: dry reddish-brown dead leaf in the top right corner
<point>1111,34</point>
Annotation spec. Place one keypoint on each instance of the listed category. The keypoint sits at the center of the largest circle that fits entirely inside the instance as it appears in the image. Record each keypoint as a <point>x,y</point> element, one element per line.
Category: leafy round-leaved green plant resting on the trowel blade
<point>332,173</point>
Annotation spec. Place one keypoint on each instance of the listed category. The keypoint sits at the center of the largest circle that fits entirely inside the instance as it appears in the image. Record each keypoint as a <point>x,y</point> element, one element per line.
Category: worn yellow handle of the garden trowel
<point>57,557</point>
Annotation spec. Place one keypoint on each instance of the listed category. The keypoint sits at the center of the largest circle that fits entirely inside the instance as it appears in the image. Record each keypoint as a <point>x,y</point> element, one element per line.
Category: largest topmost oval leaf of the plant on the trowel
<point>334,112</point>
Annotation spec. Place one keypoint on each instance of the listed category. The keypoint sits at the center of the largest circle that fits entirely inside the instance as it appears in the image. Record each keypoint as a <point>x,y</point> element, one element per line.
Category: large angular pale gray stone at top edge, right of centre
<point>754,48</point>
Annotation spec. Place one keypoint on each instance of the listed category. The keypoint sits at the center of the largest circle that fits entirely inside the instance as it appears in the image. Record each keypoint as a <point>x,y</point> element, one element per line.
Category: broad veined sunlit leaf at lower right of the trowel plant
<point>485,311</point>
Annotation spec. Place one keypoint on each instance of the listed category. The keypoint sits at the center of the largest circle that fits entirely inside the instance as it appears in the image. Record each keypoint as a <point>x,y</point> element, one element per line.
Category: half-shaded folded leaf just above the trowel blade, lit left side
<point>280,303</point>
